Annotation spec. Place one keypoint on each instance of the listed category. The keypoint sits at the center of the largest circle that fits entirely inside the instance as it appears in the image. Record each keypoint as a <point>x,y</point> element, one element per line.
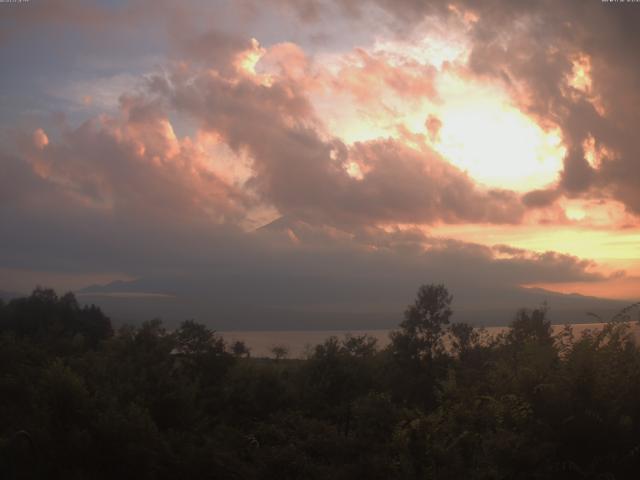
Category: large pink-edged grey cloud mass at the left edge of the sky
<point>114,191</point>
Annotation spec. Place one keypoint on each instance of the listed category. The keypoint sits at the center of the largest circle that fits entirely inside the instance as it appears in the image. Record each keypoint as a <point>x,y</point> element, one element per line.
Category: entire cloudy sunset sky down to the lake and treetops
<point>262,163</point>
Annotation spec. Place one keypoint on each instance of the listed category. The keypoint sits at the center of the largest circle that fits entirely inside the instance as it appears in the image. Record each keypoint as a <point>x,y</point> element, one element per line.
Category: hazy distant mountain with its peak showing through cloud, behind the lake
<point>328,288</point>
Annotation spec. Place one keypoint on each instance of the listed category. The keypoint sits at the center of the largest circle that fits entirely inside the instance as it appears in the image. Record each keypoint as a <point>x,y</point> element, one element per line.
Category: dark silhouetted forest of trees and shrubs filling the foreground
<point>80,399</point>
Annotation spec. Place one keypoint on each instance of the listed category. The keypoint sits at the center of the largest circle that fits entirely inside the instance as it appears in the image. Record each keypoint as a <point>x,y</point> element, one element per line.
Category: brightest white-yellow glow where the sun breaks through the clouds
<point>481,131</point>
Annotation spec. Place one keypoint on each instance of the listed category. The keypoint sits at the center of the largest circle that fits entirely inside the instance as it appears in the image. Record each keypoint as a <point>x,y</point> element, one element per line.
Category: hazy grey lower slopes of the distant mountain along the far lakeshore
<point>238,304</point>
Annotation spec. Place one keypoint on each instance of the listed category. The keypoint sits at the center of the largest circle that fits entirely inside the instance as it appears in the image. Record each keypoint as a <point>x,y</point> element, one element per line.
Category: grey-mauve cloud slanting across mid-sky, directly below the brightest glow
<point>303,172</point>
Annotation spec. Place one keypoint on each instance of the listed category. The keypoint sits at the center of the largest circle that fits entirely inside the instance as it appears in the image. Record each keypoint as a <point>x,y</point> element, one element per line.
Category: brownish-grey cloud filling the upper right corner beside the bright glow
<point>531,47</point>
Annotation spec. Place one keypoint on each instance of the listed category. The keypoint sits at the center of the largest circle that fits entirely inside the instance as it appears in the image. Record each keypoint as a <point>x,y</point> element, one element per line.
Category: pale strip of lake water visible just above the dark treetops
<point>301,342</point>
